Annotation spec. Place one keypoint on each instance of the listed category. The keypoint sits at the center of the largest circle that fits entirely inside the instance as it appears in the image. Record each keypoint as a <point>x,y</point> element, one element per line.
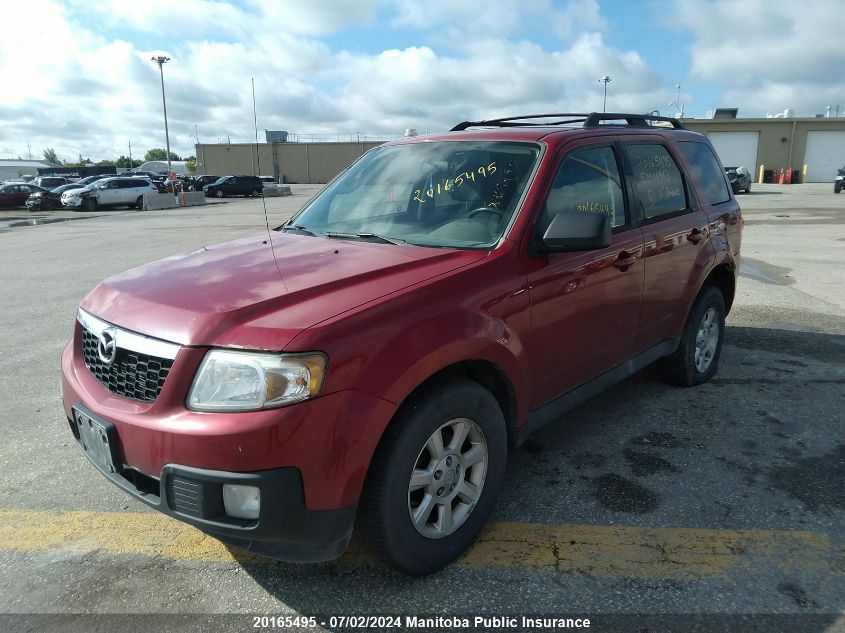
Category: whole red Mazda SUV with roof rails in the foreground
<point>371,361</point>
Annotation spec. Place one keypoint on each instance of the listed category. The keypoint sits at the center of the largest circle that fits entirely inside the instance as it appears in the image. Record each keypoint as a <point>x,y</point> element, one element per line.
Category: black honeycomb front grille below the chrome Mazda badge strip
<point>132,375</point>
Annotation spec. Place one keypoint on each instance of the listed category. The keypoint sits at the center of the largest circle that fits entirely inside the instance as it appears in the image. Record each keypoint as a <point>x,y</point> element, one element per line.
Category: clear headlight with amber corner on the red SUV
<point>248,381</point>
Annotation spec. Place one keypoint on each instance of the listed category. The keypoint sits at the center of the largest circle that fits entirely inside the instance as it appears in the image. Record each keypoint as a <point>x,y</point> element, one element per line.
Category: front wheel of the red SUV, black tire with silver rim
<point>384,519</point>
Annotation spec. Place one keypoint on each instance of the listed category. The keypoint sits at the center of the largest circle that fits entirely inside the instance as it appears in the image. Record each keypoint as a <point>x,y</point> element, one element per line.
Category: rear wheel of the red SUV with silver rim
<point>697,358</point>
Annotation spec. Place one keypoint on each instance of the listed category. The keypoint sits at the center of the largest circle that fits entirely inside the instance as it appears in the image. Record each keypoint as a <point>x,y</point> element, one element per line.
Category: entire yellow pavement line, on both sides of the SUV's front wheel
<point>591,550</point>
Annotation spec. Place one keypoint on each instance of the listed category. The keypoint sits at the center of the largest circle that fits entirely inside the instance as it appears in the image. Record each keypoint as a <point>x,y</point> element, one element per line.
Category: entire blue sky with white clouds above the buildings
<point>77,75</point>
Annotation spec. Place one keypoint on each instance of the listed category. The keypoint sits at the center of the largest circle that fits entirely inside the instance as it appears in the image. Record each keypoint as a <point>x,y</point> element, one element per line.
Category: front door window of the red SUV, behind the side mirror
<point>587,182</point>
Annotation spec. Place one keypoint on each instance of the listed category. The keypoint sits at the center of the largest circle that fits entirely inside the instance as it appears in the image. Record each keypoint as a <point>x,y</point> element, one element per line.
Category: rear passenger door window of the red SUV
<point>658,181</point>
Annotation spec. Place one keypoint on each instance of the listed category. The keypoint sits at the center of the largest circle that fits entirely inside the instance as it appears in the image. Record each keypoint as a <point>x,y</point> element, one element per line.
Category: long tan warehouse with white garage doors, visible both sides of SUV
<point>814,148</point>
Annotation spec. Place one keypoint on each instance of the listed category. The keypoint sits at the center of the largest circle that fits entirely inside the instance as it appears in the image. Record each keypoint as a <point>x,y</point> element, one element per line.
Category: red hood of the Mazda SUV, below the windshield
<point>238,294</point>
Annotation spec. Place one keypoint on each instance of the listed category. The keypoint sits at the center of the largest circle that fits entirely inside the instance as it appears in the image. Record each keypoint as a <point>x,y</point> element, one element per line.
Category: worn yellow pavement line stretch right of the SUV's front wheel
<point>615,551</point>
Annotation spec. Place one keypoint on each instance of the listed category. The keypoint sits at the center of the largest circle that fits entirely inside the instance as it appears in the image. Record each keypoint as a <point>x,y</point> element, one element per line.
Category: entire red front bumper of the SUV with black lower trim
<point>309,459</point>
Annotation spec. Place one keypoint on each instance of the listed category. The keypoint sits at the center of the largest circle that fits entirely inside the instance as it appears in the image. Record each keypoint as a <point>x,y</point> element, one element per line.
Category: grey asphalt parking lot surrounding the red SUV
<point>723,500</point>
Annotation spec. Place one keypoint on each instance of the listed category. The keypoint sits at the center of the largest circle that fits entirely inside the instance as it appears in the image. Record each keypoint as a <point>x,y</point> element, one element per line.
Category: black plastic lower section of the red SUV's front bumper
<point>285,528</point>
